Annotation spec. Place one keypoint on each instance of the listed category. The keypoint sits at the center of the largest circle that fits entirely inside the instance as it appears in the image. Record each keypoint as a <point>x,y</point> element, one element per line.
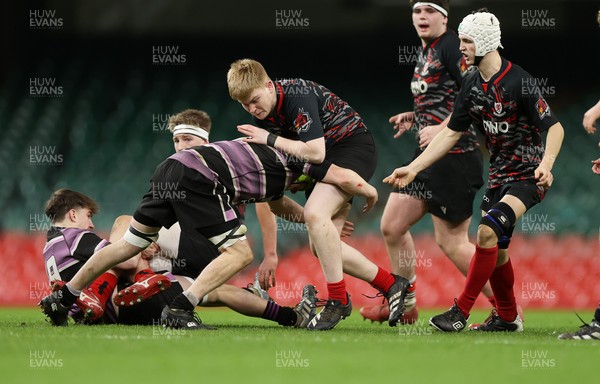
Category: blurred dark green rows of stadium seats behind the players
<point>105,141</point>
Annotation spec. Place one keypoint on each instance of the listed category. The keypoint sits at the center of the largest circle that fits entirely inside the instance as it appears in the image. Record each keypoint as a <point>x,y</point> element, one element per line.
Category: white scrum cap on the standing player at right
<point>484,29</point>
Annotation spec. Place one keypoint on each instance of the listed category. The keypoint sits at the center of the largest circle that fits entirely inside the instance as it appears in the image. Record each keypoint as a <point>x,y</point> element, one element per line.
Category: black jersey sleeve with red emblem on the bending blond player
<point>303,111</point>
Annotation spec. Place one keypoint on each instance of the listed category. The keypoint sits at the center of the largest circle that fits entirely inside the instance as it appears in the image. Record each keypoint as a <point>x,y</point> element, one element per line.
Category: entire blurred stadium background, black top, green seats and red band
<point>80,83</point>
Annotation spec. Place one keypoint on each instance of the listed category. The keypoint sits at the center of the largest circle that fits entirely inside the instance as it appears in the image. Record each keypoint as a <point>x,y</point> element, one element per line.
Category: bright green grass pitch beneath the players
<point>247,350</point>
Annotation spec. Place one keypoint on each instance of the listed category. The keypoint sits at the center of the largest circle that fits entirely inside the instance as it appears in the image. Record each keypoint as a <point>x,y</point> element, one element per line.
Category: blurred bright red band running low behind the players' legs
<point>551,272</point>
